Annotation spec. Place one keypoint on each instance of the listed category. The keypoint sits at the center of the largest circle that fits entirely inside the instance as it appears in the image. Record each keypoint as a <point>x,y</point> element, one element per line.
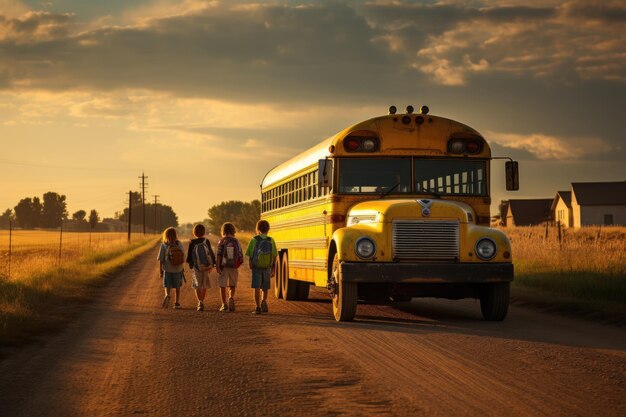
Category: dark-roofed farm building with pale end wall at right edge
<point>598,203</point>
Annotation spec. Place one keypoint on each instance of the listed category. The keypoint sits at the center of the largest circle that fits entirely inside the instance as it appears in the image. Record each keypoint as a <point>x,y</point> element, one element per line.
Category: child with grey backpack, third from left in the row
<point>229,258</point>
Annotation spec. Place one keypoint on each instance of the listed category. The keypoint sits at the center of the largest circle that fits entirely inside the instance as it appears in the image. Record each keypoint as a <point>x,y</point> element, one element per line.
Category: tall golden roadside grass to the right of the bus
<point>584,272</point>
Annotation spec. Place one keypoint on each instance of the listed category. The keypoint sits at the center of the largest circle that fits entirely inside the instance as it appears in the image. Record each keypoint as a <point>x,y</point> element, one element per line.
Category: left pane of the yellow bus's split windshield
<point>374,175</point>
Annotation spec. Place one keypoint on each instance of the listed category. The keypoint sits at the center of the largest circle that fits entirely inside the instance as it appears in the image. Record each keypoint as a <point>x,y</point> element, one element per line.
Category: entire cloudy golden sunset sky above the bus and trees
<point>206,96</point>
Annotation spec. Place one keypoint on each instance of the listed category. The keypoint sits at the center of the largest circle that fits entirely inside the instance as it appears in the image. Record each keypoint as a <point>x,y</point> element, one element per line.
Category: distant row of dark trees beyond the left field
<point>50,212</point>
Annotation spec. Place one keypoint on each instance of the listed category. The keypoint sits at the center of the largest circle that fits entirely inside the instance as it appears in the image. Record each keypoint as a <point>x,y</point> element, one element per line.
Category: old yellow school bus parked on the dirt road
<point>390,208</point>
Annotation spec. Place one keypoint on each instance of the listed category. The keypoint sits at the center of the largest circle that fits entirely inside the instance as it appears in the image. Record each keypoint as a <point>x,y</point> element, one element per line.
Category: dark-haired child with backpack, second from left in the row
<point>201,260</point>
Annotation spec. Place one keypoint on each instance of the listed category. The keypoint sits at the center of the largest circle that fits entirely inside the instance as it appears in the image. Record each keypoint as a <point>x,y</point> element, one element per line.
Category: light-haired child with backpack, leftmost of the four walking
<point>171,259</point>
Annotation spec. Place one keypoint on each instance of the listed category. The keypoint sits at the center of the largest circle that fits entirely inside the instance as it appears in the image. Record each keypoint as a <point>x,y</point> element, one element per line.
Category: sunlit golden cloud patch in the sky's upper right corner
<point>570,41</point>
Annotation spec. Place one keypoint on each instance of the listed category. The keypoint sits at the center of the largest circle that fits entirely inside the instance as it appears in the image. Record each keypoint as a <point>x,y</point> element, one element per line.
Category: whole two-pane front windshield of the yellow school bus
<point>436,176</point>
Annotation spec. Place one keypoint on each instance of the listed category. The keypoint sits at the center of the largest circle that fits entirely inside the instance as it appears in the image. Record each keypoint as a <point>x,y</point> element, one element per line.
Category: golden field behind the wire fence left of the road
<point>27,252</point>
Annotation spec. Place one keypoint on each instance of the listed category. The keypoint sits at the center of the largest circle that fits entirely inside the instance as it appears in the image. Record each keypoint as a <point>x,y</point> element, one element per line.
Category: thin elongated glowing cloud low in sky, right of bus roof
<point>546,147</point>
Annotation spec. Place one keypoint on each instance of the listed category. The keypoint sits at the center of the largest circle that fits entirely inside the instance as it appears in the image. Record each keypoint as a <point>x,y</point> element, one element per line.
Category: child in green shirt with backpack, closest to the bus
<point>262,256</point>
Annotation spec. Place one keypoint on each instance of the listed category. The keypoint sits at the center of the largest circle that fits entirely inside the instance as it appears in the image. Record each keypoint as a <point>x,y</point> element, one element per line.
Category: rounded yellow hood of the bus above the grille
<point>386,211</point>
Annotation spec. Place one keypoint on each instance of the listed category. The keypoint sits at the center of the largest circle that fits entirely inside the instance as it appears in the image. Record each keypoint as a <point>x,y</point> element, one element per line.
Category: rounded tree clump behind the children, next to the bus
<point>243,215</point>
